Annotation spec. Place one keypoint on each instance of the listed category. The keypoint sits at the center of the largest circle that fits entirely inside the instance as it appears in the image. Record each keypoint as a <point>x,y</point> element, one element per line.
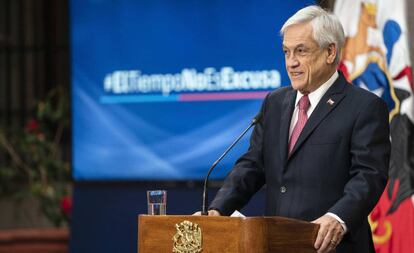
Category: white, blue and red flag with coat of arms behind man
<point>376,58</point>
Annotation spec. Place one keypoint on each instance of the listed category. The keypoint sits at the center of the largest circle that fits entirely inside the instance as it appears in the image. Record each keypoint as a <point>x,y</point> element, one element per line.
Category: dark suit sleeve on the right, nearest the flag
<point>370,153</point>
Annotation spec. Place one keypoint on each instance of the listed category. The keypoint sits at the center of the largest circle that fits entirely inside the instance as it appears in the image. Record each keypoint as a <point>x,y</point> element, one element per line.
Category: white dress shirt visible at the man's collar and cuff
<point>314,98</point>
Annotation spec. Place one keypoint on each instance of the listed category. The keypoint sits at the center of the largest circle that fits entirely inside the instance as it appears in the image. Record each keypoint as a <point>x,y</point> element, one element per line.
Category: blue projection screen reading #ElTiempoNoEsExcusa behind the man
<point>160,88</point>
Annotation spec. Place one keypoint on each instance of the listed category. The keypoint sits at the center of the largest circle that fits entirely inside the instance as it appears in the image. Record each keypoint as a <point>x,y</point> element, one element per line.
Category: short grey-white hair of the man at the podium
<point>327,28</point>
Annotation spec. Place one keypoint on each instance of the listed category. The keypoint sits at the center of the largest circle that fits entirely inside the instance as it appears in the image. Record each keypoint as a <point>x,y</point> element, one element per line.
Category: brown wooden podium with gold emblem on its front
<point>226,234</point>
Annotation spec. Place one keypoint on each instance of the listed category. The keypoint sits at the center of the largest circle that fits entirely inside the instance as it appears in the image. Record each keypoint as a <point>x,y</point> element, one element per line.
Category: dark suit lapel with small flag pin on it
<point>327,103</point>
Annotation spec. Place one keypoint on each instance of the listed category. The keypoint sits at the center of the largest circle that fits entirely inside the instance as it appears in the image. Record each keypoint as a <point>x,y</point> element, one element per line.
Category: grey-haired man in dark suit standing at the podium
<point>322,146</point>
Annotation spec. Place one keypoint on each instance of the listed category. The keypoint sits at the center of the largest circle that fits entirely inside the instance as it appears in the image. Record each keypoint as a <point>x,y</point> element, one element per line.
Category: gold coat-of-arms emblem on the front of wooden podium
<point>188,238</point>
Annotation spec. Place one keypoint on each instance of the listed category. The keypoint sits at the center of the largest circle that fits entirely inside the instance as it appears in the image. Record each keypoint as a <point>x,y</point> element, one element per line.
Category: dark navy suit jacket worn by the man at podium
<point>339,163</point>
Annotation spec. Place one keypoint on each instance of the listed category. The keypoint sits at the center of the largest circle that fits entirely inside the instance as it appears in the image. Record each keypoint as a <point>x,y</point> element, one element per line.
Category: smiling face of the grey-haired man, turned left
<point>307,65</point>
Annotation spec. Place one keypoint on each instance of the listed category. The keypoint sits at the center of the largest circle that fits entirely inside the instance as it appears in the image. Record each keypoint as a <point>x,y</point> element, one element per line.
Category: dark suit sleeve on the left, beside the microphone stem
<point>246,177</point>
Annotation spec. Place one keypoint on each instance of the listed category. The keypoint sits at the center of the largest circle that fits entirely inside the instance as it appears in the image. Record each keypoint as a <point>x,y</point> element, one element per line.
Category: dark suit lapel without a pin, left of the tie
<point>287,111</point>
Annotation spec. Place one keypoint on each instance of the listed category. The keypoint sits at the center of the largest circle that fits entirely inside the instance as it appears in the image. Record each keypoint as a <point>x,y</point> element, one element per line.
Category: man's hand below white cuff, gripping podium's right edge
<point>330,234</point>
